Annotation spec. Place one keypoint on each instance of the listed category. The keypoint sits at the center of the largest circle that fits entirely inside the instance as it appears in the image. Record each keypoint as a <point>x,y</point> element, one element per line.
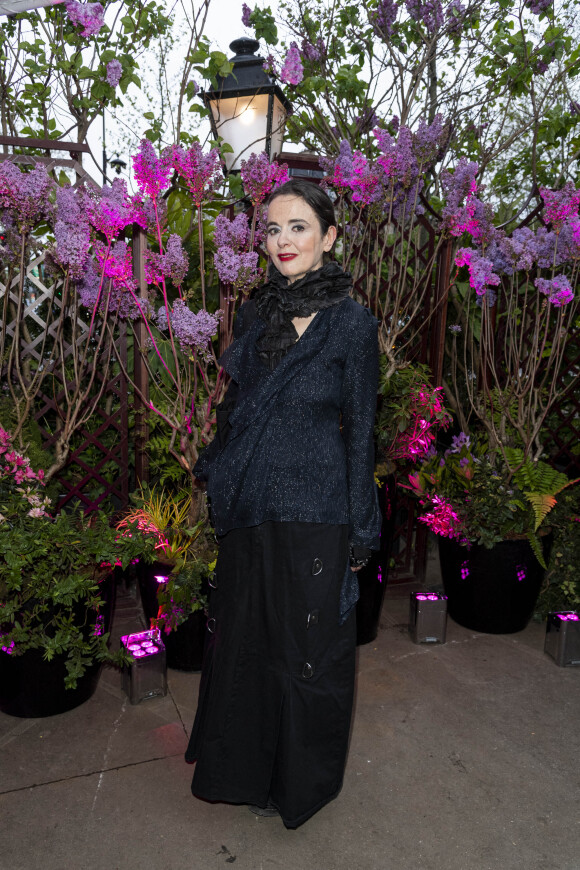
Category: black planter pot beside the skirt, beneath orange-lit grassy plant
<point>184,645</point>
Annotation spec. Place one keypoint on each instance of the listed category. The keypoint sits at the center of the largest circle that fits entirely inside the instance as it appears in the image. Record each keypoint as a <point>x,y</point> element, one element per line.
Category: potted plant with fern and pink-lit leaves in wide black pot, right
<point>491,519</point>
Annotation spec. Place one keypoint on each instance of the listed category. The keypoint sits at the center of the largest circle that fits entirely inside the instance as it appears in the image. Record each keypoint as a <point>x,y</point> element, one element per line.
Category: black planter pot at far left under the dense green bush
<point>31,687</point>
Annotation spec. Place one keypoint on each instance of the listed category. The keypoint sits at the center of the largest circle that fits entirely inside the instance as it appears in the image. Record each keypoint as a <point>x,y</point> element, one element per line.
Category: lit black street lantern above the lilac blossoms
<point>248,108</point>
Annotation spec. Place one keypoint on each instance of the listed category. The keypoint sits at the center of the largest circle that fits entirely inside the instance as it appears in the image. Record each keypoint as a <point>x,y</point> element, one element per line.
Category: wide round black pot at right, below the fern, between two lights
<point>492,591</point>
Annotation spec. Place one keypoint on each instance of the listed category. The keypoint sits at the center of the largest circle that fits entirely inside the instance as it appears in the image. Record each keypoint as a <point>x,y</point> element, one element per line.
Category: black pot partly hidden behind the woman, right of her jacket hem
<point>373,578</point>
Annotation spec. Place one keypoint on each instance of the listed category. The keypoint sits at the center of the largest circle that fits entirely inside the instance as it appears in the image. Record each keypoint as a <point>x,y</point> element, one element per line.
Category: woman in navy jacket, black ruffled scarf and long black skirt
<point>291,487</point>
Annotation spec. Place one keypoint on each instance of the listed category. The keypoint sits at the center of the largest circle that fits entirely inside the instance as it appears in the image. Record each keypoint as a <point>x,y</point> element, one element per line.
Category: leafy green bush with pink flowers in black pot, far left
<point>55,598</point>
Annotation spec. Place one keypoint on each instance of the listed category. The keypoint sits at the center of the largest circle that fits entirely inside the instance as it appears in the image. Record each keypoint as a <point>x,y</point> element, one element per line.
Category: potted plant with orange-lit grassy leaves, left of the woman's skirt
<point>174,587</point>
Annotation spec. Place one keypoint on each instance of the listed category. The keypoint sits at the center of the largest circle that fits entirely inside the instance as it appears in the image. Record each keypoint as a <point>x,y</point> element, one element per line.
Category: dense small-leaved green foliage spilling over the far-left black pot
<point>51,582</point>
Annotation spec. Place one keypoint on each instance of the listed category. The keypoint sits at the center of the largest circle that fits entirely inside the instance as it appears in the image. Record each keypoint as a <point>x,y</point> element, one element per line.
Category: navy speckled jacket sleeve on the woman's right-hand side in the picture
<point>358,407</point>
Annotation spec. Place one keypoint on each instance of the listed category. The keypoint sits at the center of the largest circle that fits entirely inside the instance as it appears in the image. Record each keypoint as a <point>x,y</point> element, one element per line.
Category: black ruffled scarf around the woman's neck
<point>277,302</point>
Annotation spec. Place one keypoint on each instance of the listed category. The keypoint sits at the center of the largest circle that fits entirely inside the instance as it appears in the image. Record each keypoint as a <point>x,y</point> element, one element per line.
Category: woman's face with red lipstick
<point>295,241</point>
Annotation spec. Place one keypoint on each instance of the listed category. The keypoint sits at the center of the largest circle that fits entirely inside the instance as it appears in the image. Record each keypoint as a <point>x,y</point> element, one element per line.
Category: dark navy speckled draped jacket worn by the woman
<point>300,438</point>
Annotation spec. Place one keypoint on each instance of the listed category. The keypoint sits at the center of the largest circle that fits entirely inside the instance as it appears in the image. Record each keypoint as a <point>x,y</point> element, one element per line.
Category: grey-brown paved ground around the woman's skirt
<point>463,757</point>
